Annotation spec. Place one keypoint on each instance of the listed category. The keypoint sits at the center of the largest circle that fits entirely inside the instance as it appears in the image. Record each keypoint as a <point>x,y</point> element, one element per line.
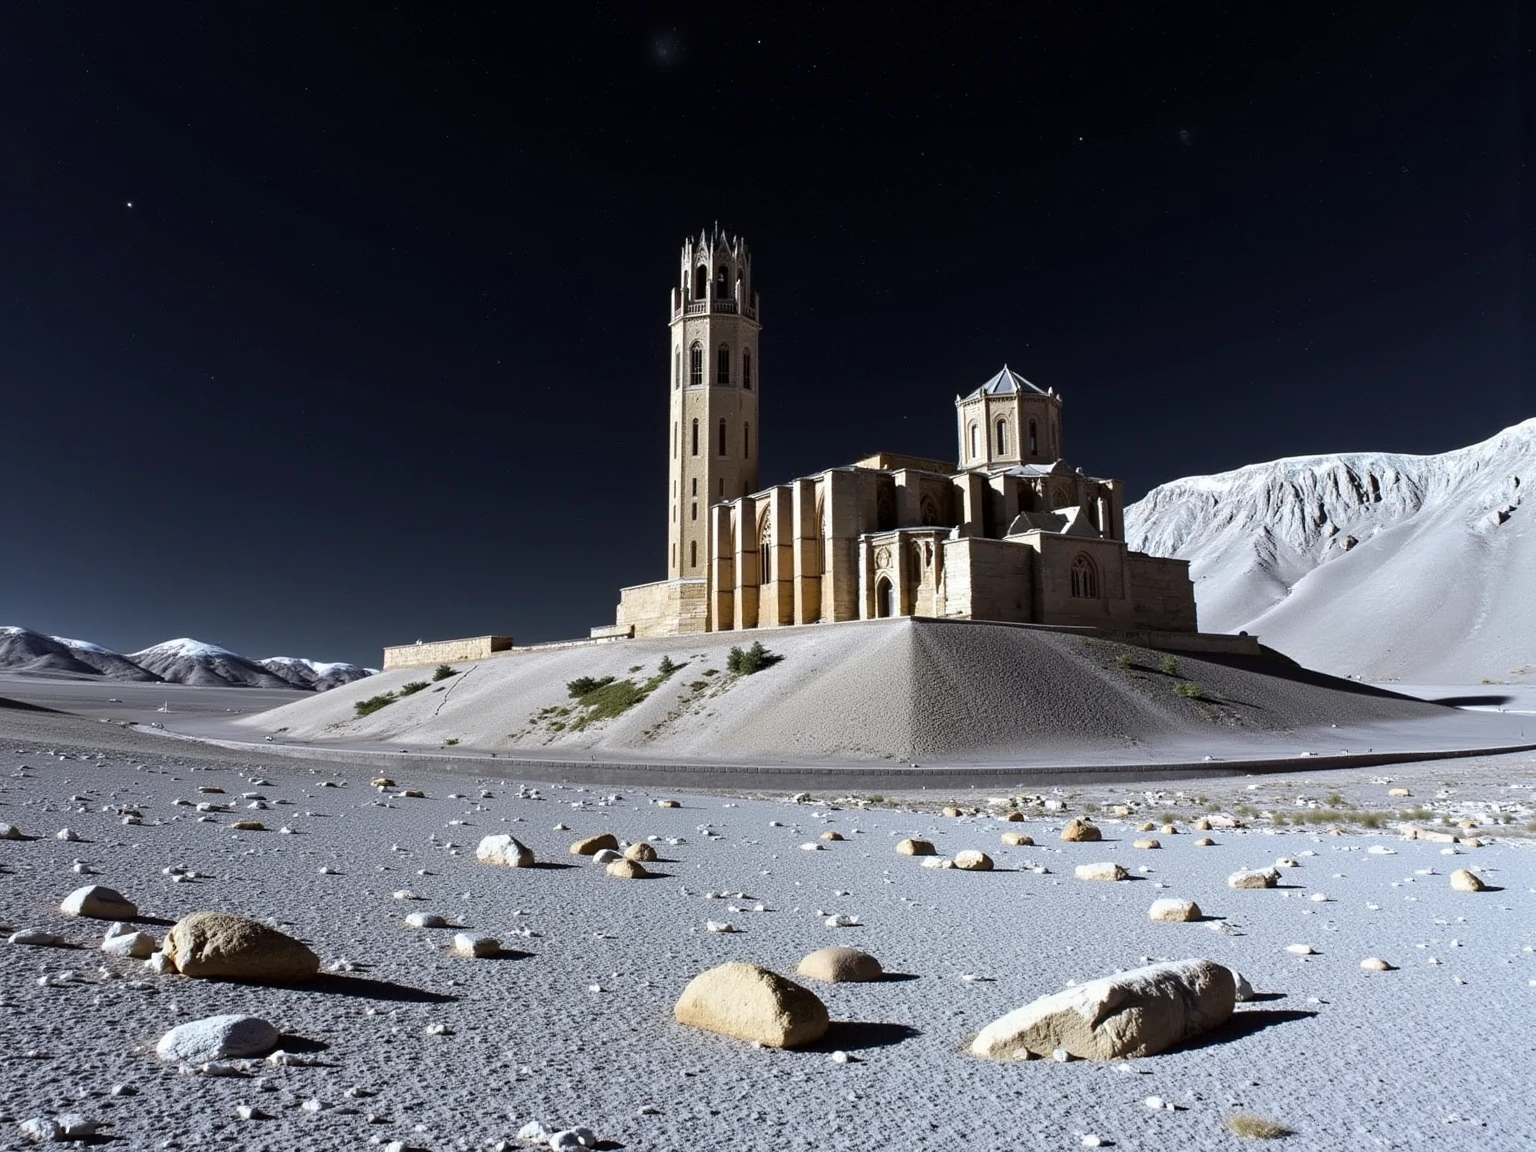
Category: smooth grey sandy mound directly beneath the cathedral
<point>889,690</point>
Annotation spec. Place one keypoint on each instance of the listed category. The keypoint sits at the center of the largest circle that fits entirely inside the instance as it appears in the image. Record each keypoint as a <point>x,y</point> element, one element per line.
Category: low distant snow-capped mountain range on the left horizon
<point>182,661</point>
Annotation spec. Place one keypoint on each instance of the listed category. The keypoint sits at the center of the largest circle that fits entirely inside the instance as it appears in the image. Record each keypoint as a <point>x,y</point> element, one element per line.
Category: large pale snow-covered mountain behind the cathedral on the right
<point>1372,564</point>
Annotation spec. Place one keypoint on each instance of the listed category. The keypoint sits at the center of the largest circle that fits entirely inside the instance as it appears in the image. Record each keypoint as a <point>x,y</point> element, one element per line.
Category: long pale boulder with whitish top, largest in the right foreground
<point>1133,1015</point>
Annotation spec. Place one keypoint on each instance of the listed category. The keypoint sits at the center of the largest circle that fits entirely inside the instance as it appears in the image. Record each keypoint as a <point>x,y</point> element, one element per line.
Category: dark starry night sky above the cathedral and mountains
<point>380,348</point>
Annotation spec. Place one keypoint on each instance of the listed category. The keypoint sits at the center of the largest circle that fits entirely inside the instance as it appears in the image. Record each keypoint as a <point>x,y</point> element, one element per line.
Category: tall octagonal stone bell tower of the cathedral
<point>713,379</point>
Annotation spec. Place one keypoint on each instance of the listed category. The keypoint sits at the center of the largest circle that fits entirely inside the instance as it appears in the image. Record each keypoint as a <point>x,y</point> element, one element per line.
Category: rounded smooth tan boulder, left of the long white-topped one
<point>752,1004</point>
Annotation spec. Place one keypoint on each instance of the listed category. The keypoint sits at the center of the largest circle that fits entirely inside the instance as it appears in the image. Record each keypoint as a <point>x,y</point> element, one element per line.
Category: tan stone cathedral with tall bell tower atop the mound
<point>1010,532</point>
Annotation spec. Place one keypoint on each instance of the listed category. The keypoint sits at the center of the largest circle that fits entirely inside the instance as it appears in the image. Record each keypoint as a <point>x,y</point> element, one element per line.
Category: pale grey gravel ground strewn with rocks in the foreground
<point>575,1027</point>
